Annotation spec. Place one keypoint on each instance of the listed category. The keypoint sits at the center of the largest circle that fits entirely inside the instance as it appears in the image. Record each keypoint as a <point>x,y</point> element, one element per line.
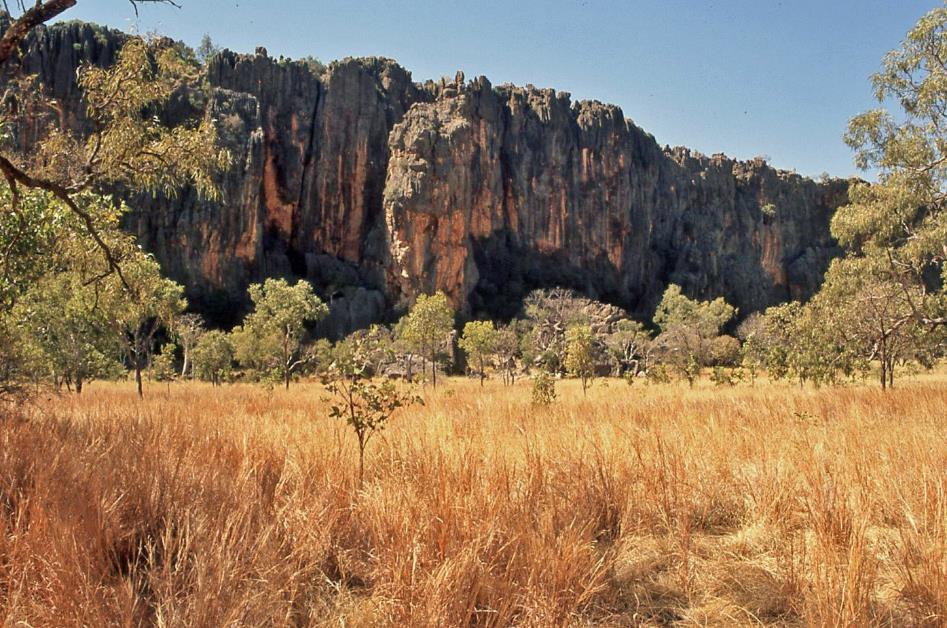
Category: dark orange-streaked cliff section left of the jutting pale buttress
<point>304,196</point>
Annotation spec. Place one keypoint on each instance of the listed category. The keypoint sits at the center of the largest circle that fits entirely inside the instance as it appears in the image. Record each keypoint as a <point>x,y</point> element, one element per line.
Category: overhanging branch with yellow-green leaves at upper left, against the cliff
<point>128,145</point>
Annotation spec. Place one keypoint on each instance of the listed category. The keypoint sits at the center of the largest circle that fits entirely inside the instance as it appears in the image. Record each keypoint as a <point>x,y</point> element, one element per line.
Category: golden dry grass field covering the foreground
<point>640,505</point>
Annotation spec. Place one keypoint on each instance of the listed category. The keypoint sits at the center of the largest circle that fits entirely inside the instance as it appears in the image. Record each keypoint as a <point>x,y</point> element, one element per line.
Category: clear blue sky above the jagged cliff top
<point>741,77</point>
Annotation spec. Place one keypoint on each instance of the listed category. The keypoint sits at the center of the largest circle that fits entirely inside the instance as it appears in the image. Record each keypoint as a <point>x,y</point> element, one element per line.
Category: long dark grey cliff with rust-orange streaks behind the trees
<point>376,188</point>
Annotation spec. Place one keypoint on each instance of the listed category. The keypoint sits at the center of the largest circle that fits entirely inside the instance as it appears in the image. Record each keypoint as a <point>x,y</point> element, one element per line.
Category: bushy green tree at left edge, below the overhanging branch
<point>80,313</point>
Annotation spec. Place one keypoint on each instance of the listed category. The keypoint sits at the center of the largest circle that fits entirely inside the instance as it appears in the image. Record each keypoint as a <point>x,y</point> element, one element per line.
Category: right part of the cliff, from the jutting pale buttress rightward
<point>493,191</point>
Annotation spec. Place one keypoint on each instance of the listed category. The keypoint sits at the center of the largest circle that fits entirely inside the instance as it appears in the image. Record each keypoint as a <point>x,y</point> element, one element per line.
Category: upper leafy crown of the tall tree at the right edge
<point>900,223</point>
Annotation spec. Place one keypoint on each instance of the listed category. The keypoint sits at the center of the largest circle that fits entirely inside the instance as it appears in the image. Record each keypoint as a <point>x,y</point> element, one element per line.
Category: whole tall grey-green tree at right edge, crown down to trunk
<point>885,299</point>
